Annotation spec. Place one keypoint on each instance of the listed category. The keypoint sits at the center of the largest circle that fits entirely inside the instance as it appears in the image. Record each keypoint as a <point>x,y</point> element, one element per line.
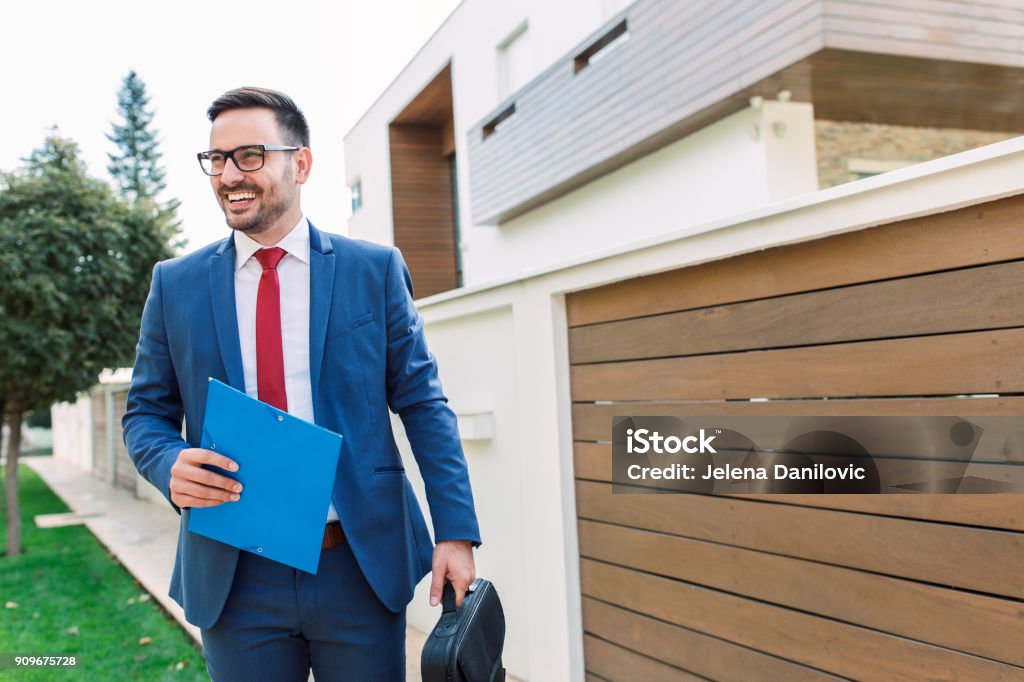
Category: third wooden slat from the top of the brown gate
<point>970,363</point>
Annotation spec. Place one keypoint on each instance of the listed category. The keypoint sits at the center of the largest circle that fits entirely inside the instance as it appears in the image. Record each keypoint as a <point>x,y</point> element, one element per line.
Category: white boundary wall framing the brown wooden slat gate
<point>503,348</point>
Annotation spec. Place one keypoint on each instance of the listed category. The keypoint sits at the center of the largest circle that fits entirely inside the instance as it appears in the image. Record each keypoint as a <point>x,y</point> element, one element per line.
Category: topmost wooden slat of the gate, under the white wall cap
<point>922,245</point>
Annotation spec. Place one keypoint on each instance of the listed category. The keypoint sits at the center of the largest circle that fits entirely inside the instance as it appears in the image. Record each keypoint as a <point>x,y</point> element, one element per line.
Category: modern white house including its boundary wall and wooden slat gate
<point>651,209</point>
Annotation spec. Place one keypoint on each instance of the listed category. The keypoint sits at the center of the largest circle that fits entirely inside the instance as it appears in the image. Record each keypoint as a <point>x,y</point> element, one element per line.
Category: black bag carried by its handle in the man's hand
<point>466,645</point>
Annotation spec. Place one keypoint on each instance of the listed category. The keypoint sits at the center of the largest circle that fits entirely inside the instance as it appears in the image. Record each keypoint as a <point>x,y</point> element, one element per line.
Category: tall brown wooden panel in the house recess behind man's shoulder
<point>422,209</point>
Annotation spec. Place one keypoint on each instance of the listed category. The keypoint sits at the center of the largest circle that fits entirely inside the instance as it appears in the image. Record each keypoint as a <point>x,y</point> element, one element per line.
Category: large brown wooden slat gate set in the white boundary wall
<point>894,320</point>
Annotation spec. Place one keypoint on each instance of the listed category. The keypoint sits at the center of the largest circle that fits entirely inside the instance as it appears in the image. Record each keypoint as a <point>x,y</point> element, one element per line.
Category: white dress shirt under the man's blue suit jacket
<point>293,273</point>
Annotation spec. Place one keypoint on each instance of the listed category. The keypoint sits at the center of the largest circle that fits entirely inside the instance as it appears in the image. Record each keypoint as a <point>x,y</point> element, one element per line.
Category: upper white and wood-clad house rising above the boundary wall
<point>523,133</point>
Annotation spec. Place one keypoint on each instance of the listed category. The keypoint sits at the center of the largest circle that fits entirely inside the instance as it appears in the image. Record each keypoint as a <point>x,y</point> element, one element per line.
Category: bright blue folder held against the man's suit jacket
<point>286,467</point>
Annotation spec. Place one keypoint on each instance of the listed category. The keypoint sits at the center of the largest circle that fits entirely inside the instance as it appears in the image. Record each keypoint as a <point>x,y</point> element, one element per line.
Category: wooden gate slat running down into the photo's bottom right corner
<point>821,643</point>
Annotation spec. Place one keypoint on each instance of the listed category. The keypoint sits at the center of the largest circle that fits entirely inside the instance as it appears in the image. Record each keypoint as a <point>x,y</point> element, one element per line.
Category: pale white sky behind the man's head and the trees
<point>63,64</point>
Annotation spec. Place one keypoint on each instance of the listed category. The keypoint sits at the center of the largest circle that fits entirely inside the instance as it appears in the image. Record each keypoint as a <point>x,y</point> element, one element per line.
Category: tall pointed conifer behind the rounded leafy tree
<point>136,168</point>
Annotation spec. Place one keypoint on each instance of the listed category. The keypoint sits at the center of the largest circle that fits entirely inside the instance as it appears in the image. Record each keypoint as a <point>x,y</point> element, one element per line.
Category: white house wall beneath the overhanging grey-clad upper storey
<point>732,166</point>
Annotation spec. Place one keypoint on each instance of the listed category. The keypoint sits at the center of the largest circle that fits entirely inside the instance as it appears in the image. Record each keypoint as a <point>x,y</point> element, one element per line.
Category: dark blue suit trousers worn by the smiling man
<point>280,622</point>
